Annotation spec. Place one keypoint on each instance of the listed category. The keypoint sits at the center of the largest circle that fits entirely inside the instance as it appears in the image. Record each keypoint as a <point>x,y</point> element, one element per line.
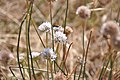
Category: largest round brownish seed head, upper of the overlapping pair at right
<point>110,28</point>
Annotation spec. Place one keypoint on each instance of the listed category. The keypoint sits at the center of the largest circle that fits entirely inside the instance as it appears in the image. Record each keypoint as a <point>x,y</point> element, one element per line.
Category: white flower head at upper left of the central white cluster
<point>45,27</point>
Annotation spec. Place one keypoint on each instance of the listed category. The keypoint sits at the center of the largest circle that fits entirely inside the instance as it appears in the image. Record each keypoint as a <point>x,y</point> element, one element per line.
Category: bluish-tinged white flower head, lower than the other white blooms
<point>49,54</point>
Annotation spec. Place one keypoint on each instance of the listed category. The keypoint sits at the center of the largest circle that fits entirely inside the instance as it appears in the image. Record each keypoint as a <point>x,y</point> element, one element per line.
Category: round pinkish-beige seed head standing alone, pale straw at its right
<point>84,12</point>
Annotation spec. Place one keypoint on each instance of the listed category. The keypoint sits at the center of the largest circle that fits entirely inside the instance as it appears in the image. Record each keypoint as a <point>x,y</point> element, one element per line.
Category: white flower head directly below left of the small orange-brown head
<point>60,37</point>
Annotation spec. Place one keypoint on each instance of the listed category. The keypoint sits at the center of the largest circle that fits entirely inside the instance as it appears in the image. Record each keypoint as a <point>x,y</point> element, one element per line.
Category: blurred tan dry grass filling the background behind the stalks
<point>11,13</point>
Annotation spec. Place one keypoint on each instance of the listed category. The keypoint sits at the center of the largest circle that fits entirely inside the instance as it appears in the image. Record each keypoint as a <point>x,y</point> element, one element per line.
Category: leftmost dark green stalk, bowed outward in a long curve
<point>18,46</point>
